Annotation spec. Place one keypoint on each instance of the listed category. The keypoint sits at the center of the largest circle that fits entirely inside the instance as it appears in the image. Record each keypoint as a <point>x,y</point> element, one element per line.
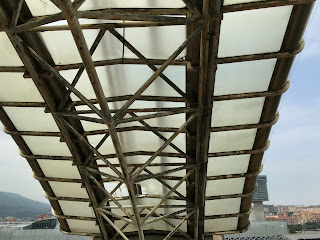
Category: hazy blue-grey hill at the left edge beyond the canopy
<point>12,204</point>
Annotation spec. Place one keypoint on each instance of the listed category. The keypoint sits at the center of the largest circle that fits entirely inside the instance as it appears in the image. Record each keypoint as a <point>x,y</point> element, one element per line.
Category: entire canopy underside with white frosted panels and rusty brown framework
<point>142,117</point>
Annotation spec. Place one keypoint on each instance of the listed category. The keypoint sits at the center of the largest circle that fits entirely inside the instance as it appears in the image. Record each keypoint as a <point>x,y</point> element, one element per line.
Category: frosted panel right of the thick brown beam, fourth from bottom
<point>228,165</point>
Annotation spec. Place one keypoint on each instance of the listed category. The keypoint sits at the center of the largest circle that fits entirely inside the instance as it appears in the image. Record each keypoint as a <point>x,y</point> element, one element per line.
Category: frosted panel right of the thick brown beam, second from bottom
<point>222,206</point>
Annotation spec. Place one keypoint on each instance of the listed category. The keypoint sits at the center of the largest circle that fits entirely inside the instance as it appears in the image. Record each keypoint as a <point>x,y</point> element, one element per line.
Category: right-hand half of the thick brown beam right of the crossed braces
<point>207,64</point>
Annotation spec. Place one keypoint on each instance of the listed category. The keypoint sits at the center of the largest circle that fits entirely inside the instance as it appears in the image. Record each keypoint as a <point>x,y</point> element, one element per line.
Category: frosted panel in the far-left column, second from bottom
<point>72,208</point>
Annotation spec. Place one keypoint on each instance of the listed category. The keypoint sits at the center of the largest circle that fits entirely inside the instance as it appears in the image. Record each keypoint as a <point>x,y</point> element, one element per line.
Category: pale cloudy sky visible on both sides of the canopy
<point>292,163</point>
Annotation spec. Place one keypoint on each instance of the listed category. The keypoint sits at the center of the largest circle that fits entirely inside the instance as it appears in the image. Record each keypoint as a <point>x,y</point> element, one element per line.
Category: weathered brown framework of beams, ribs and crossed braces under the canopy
<point>202,19</point>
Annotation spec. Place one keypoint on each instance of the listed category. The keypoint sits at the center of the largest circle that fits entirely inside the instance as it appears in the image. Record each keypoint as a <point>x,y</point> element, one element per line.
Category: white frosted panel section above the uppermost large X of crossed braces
<point>156,42</point>
